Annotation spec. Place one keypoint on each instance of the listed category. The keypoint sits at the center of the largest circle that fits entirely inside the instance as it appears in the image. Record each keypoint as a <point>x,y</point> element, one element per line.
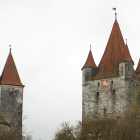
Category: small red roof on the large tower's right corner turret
<point>126,57</point>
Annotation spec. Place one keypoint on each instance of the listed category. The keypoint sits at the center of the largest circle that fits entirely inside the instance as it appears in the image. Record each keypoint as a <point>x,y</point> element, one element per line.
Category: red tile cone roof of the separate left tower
<point>10,74</point>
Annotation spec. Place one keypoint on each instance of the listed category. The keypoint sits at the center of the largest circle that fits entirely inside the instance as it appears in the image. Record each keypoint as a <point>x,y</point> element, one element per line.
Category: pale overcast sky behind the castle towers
<point>50,42</point>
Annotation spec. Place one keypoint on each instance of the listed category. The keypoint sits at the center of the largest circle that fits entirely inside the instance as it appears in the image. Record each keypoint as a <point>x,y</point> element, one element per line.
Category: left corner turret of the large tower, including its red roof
<point>89,69</point>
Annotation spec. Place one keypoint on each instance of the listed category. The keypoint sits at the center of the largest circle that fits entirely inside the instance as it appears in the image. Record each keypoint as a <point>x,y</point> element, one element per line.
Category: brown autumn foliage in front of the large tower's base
<point>105,128</point>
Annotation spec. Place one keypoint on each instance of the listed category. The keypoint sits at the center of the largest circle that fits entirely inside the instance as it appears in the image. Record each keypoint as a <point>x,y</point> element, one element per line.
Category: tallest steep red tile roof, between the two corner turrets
<point>108,66</point>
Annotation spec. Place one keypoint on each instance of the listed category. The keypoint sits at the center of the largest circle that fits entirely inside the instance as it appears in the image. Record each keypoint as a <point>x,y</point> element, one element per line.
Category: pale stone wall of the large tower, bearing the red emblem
<point>113,100</point>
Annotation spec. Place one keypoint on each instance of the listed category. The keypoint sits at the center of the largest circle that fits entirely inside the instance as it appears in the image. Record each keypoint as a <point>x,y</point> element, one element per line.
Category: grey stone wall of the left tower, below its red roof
<point>11,101</point>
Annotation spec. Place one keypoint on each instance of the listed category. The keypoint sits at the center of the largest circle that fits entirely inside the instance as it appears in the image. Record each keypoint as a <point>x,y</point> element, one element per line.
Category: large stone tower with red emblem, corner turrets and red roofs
<point>109,88</point>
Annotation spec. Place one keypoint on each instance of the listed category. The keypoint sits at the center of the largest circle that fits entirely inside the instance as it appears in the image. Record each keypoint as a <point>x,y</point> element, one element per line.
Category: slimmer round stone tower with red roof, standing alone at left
<point>11,96</point>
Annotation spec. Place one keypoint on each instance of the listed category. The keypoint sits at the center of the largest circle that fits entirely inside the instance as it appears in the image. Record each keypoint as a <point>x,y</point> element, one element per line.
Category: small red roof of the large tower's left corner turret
<point>90,61</point>
